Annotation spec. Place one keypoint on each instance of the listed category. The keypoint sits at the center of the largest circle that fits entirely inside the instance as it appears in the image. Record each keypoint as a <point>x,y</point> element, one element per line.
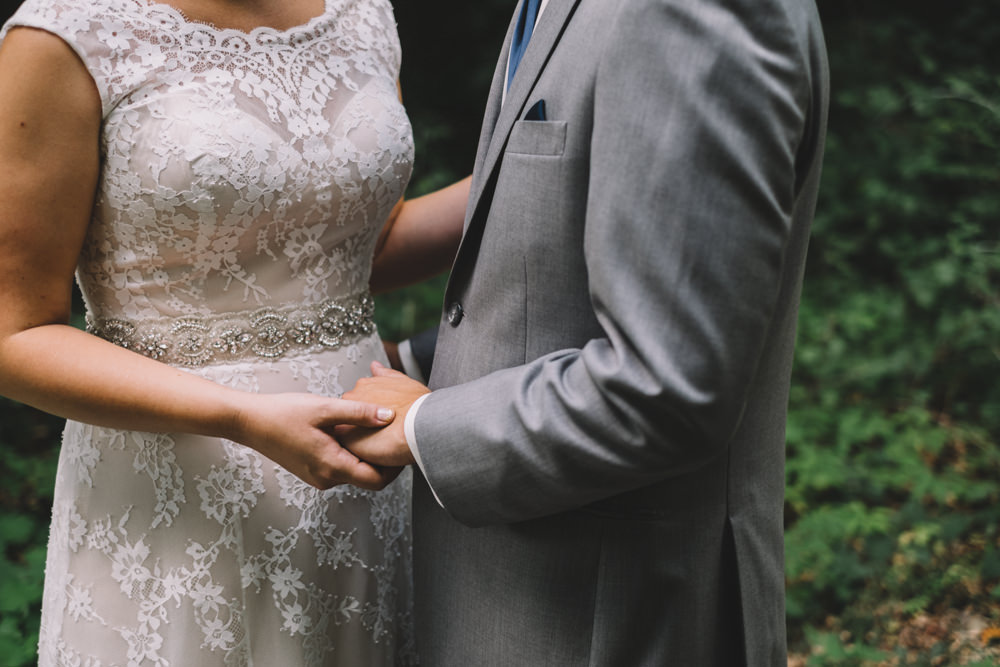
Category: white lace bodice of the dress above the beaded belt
<point>240,170</point>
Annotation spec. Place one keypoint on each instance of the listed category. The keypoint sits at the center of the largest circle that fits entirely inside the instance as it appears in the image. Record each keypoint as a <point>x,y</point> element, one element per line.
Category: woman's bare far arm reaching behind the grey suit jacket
<point>421,237</point>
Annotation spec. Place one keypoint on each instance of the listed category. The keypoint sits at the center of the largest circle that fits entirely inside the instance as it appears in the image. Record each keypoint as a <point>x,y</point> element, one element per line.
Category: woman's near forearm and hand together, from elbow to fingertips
<point>70,373</point>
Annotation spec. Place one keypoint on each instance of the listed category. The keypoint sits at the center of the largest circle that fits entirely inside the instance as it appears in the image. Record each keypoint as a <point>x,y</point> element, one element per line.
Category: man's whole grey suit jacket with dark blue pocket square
<point>606,431</point>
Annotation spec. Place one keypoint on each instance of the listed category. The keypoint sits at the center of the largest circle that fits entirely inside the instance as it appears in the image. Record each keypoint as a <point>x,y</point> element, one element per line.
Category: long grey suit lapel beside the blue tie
<point>499,120</point>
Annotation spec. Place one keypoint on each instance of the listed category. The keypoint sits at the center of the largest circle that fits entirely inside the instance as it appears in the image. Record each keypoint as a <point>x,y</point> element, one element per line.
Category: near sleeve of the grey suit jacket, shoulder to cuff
<point>698,116</point>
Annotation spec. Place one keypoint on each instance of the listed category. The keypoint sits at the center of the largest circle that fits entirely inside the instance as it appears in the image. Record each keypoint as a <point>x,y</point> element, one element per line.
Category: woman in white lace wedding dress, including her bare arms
<point>217,174</point>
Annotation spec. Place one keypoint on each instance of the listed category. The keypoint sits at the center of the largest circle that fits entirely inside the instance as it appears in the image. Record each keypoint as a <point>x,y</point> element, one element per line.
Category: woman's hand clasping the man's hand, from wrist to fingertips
<point>294,431</point>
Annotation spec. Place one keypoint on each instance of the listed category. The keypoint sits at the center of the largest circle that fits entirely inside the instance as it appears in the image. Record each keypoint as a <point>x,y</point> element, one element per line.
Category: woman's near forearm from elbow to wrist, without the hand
<point>75,375</point>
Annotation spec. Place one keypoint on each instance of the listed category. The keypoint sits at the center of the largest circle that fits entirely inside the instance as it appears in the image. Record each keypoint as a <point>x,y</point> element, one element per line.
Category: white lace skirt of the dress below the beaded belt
<point>181,550</point>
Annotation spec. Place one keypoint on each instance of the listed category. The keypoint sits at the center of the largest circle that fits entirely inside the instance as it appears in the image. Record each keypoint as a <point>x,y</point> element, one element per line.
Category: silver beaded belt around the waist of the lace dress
<point>264,333</point>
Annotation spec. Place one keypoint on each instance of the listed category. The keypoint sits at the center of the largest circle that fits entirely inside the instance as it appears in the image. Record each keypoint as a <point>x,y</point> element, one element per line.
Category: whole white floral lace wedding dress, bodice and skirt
<point>241,173</point>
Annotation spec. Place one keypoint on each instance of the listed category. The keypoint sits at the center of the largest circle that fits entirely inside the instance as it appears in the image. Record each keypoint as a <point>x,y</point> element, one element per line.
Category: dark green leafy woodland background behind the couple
<point>893,476</point>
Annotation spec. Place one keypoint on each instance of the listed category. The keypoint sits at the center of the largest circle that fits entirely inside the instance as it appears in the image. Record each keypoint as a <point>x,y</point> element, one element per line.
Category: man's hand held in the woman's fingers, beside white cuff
<point>385,446</point>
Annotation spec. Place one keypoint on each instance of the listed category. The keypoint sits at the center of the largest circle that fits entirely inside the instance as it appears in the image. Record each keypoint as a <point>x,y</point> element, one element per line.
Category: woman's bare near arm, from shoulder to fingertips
<point>50,115</point>
